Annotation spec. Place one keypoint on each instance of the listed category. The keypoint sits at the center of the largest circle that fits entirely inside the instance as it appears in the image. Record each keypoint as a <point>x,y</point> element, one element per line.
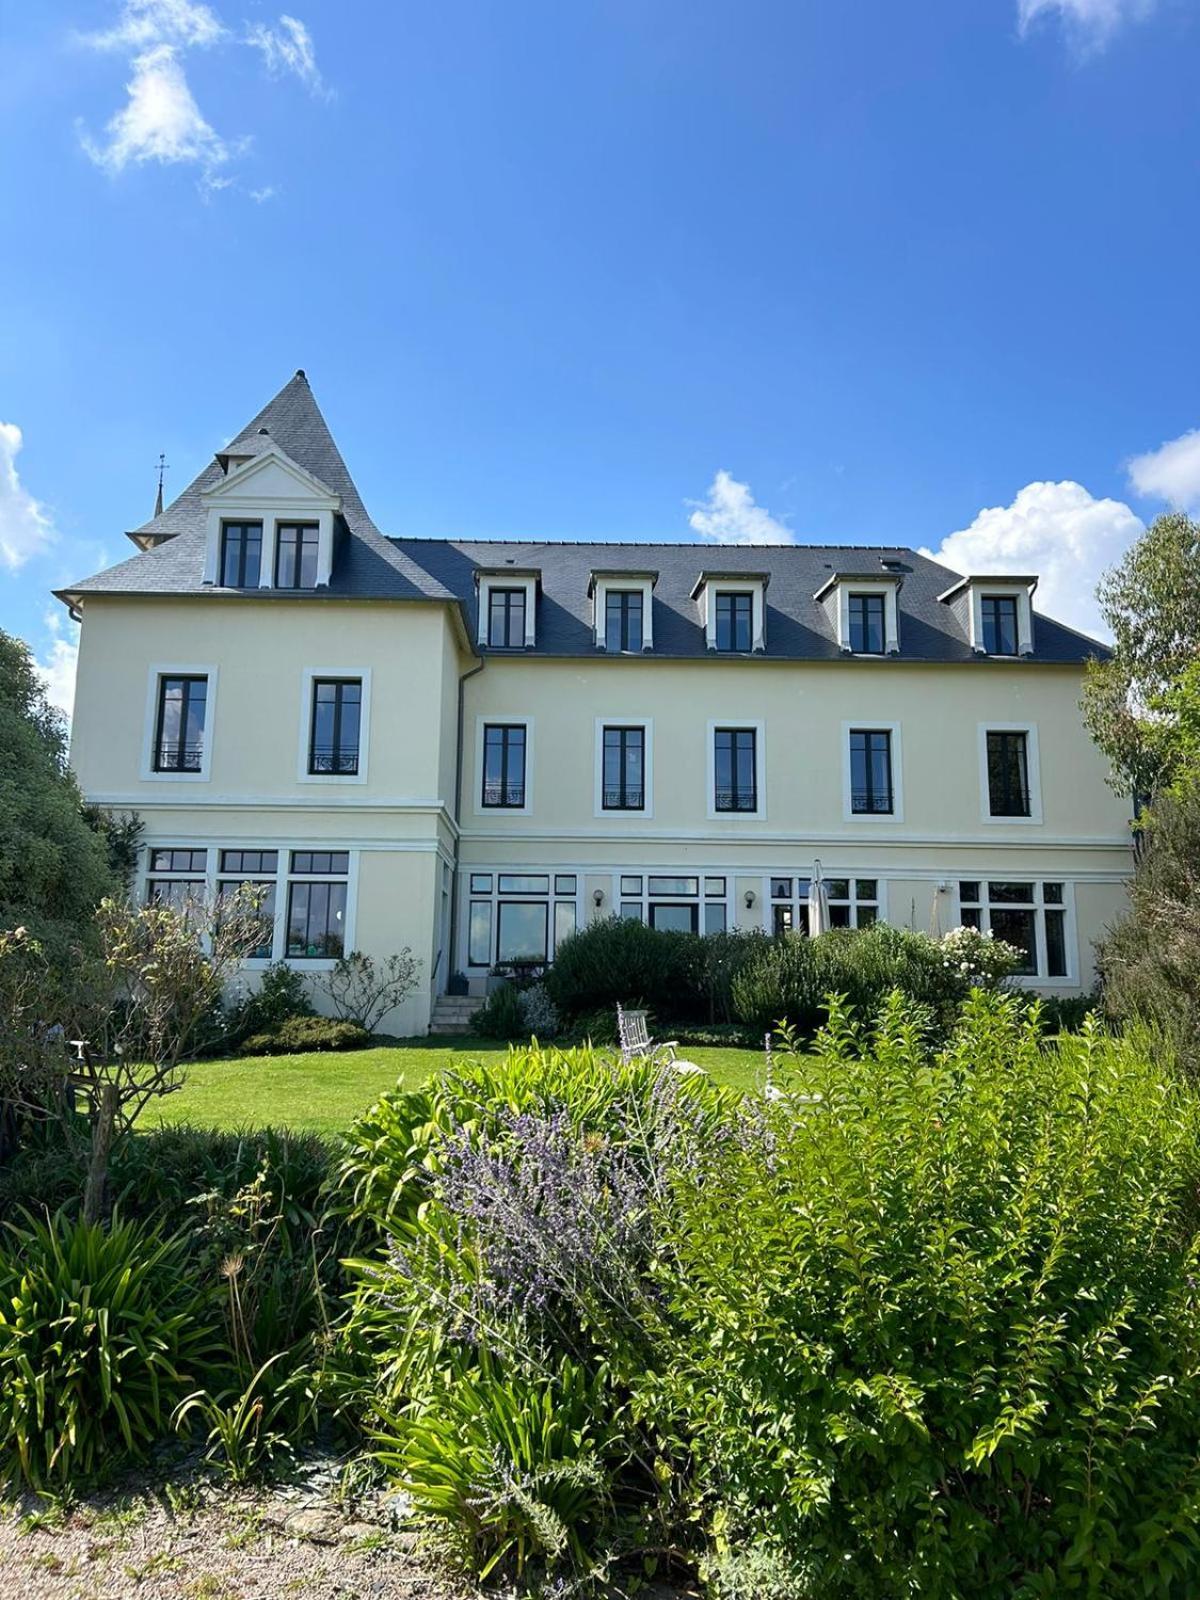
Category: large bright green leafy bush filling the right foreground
<point>937,1318</point>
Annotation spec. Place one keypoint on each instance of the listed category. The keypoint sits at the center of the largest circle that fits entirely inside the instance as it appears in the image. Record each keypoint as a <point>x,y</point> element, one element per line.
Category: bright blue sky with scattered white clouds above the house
<point>865,271</point>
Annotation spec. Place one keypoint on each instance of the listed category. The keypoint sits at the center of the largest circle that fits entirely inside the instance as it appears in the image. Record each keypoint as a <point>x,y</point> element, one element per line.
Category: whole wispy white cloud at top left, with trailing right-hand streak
<point>162,121</point>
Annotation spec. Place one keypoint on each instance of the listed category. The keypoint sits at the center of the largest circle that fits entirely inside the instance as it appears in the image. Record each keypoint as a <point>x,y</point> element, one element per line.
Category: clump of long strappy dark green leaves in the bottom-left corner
<point>102,1334</point>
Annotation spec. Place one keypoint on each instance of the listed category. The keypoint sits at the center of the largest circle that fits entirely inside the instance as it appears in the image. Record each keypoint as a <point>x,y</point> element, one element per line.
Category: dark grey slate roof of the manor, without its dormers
<point>372,567</point>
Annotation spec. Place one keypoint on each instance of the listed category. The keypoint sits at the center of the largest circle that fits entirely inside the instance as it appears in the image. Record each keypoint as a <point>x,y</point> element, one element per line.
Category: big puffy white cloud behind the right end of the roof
<point>1055,530</point>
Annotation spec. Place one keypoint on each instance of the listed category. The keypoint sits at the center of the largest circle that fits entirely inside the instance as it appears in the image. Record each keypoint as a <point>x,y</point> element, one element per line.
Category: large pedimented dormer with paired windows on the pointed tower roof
<point>271,522</point>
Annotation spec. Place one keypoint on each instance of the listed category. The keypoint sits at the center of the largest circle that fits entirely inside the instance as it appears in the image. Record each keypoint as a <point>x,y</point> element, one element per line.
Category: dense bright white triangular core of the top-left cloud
<point>162,121</point>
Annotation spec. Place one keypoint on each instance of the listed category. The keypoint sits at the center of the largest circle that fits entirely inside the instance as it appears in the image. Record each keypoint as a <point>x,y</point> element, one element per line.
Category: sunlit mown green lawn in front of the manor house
<point>326,1090</point>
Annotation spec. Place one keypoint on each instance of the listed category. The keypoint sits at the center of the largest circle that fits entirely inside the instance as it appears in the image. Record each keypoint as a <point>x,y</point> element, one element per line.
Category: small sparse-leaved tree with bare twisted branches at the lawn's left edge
<point>95,1052</point>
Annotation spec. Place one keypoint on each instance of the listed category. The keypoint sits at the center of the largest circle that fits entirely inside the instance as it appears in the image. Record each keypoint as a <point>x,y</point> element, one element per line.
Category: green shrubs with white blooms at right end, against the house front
<point>790,980</point>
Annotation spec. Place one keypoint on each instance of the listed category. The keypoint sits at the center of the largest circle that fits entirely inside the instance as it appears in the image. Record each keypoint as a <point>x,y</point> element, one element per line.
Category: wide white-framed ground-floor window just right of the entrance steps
<point>519,919</point>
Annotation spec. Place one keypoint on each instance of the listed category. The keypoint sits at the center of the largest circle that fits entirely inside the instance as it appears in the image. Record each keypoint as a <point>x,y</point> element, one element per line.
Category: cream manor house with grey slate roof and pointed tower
<point>474,748</point>
